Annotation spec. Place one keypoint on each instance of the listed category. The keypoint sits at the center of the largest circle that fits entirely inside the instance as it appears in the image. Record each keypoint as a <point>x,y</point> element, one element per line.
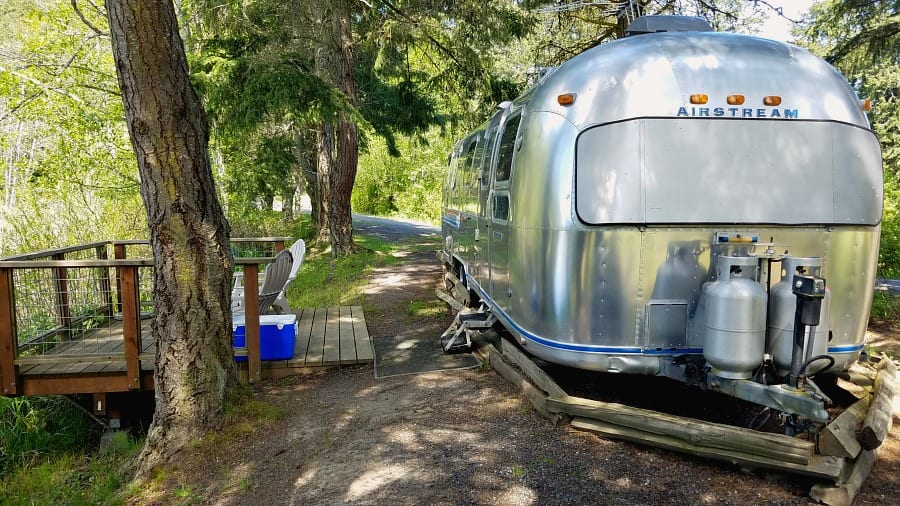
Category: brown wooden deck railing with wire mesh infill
<point>63,309</point>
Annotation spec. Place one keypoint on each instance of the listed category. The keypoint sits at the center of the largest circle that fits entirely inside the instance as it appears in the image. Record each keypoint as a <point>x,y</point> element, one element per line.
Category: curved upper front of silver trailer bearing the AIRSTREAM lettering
<point>655,75</point>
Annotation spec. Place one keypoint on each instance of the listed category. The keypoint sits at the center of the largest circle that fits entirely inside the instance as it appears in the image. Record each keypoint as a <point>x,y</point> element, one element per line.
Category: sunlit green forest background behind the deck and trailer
<point>425,73</point>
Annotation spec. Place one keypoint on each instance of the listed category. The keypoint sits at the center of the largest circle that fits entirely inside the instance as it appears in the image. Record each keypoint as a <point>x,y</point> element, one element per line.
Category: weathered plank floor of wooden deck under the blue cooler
<point>326,337</point>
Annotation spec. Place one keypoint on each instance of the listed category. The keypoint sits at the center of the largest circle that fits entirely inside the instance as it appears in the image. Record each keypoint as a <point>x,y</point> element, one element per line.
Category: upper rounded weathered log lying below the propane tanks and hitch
<point>693,433</point>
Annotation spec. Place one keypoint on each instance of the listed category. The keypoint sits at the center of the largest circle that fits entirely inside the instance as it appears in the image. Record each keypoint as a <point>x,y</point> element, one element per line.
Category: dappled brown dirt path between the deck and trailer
<point>451,437</point>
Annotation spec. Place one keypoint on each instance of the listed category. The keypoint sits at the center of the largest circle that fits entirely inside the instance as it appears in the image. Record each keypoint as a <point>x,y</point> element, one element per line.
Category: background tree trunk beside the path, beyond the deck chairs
<point>337,141</point>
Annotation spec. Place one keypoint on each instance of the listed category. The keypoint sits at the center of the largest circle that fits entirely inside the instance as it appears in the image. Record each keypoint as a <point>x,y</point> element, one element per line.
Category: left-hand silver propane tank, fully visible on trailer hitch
<point>735,336</point>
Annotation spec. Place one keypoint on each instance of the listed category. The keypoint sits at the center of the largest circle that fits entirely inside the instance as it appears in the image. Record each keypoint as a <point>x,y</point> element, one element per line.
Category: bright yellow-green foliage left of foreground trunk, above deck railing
<point>64,148</point>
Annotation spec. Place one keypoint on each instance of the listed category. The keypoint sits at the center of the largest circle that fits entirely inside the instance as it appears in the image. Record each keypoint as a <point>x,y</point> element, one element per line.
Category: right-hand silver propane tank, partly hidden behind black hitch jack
<point>782,304</point>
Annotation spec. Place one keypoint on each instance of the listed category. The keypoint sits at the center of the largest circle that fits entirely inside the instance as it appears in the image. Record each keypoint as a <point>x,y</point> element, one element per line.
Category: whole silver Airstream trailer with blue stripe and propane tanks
<point>653,205</point>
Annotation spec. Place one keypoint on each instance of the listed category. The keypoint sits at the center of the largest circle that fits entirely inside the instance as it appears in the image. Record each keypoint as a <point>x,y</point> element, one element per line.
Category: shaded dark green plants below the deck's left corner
<point>35,428</point>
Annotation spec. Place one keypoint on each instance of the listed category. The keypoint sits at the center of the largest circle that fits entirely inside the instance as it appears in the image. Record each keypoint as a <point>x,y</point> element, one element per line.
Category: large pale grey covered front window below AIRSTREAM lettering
<point>665,170</point>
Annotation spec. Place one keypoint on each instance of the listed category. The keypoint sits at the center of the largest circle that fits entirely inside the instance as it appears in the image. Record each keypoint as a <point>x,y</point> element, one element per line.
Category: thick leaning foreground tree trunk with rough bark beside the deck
<point>189,235</point>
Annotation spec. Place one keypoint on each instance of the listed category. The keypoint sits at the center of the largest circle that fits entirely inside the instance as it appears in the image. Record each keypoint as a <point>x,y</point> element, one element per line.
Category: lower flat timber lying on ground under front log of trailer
<point>823,467</point>
